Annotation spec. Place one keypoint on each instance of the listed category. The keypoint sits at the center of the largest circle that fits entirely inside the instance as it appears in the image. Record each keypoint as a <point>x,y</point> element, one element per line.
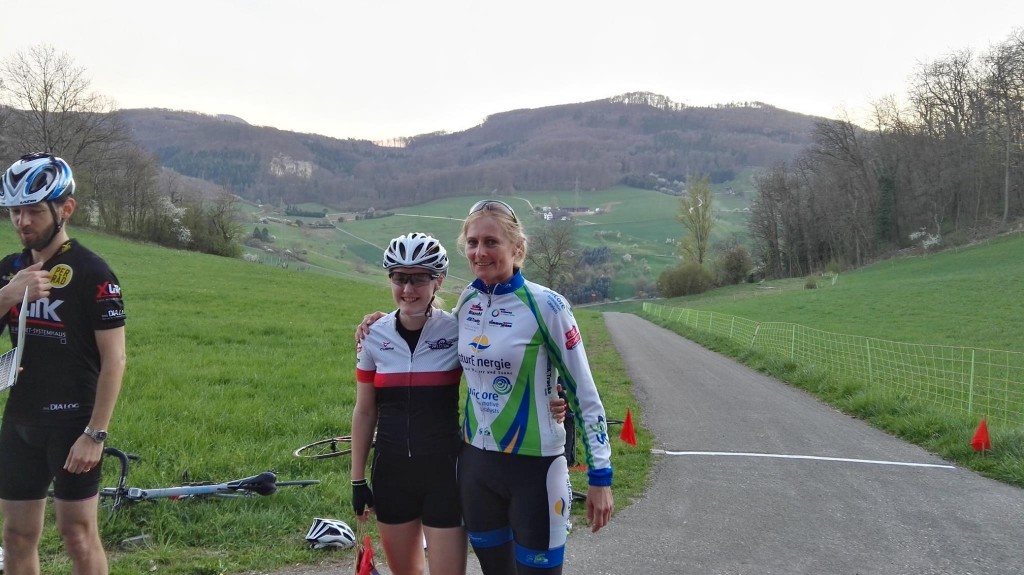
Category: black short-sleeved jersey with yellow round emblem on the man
<point>61,360</point>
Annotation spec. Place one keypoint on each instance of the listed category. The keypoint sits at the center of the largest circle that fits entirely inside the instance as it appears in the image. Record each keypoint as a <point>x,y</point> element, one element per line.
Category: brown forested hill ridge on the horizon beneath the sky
<point>633,139</point>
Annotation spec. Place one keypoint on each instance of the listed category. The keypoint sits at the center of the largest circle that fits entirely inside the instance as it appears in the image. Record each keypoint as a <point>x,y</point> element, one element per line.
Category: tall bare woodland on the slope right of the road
<point>947,164</point>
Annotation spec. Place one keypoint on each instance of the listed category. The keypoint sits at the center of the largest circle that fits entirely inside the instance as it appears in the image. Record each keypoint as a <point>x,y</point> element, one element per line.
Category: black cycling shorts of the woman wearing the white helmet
<point>419,488</point>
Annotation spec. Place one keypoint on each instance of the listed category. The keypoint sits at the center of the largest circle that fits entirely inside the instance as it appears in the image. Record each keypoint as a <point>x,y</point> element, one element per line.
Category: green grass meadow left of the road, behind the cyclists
<point>233,366</point>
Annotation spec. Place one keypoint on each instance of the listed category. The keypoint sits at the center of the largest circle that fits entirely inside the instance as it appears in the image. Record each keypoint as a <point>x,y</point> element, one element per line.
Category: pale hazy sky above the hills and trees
<point>381,69</point>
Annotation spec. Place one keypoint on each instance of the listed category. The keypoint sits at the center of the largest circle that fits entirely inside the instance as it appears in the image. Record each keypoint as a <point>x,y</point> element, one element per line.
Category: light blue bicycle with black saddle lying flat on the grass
<point>113,499</point>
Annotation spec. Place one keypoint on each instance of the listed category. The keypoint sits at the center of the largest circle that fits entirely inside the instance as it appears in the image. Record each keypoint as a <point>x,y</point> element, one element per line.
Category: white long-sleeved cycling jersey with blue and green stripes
<point>516,340</point>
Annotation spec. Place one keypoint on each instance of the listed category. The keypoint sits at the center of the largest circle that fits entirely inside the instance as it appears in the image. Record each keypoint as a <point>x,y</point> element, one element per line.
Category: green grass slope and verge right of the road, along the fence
<point>963,298</point>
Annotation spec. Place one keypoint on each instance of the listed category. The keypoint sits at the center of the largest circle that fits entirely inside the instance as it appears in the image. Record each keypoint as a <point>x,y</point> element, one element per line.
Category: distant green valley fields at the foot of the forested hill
<point>637,223</point>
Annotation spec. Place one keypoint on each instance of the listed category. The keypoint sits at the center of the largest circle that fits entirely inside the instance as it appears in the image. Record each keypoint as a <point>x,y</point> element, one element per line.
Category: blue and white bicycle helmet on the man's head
<point>35,179</point>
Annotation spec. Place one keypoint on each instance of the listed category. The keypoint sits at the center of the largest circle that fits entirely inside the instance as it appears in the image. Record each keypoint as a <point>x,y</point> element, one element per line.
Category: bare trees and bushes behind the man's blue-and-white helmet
<point>48,105</point>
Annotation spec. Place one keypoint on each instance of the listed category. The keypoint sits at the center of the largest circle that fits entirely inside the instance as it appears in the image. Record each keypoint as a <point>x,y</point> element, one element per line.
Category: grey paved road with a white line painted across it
<point>846,509</point>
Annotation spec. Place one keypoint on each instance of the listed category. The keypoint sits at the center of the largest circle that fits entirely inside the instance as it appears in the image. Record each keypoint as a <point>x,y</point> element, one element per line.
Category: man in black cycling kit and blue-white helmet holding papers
<point>57,417</point>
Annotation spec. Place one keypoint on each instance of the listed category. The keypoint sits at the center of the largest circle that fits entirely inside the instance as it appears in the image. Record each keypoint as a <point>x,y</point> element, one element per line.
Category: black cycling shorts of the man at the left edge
<point>33,457</point>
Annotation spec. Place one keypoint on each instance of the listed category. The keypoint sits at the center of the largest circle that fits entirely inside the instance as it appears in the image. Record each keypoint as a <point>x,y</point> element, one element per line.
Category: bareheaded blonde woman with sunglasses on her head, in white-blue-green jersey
<point>516,339</point>
